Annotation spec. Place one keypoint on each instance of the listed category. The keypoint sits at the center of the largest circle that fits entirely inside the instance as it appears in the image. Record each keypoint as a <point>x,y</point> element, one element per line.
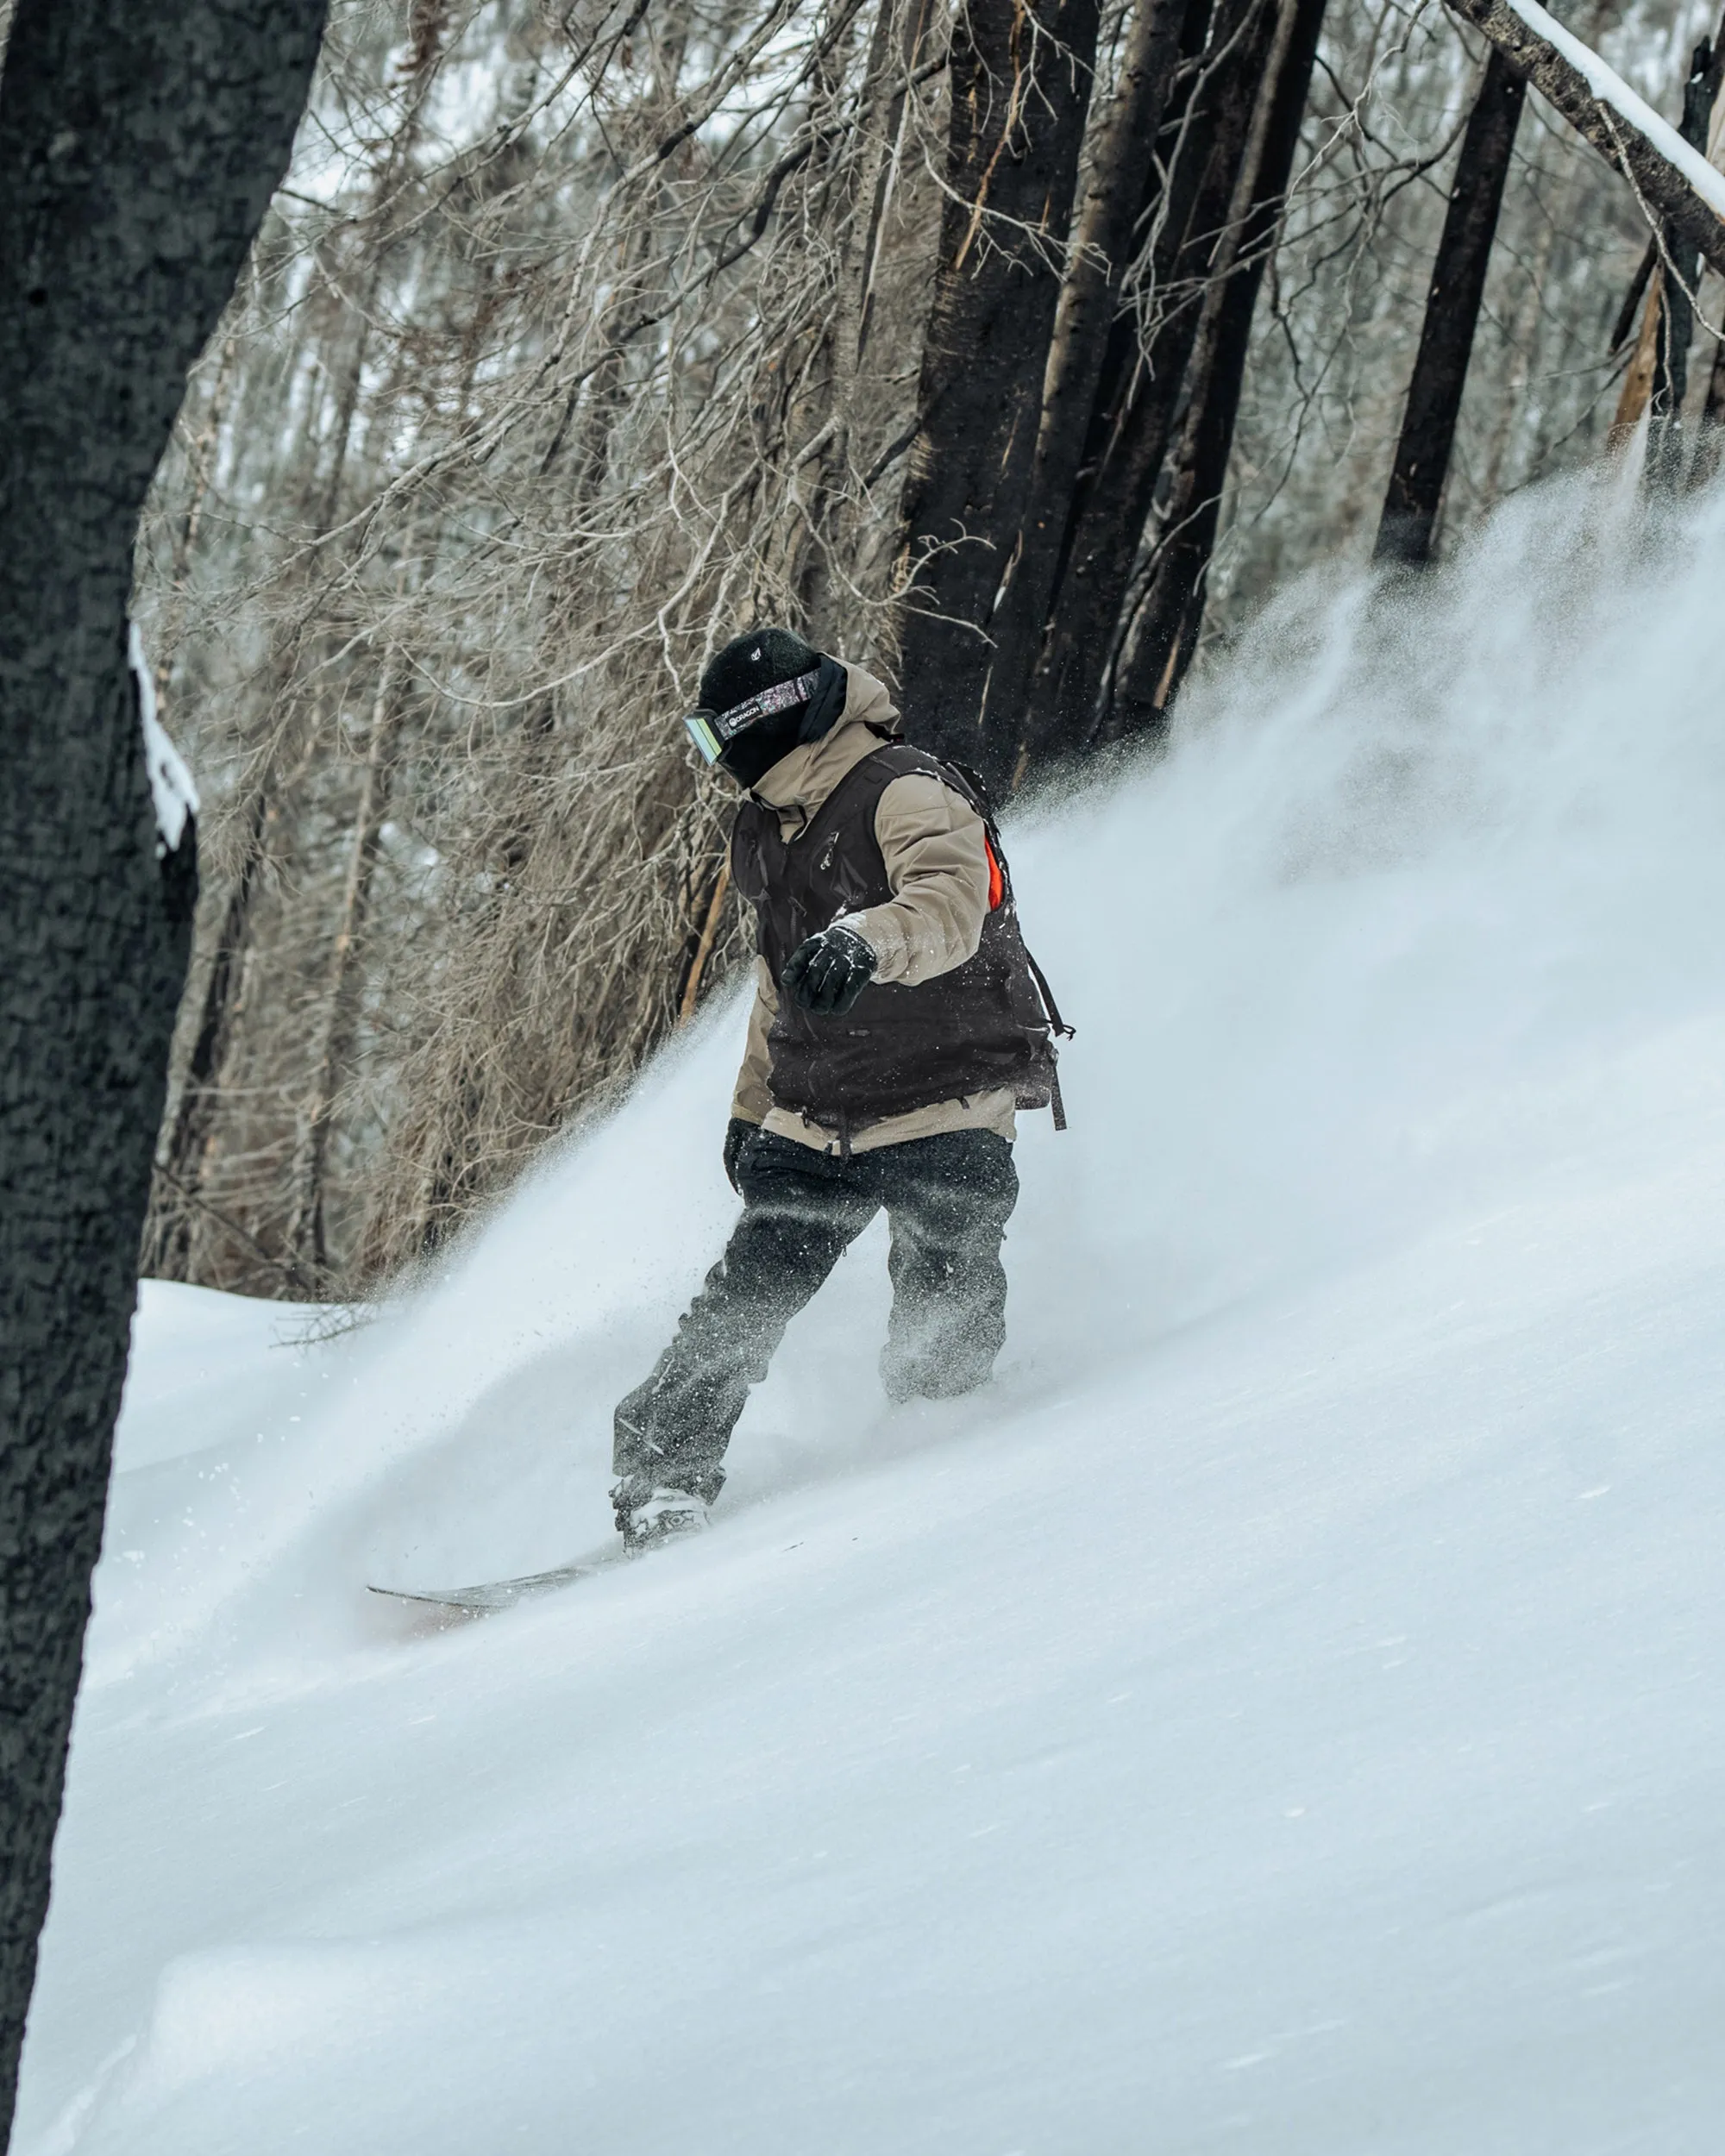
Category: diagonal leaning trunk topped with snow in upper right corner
<point>1672,180</point>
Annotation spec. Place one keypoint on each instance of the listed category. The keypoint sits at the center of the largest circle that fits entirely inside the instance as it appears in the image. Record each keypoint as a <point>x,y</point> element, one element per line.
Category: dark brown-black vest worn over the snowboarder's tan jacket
<point>967,1032</point>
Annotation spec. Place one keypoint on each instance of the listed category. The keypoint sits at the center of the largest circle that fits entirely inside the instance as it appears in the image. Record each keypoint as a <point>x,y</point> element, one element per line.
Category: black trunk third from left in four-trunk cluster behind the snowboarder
<point>1140,398</point>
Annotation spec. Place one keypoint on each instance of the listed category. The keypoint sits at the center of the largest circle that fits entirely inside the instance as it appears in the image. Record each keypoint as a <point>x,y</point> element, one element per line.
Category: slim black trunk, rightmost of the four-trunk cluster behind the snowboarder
<point>1168,624</point>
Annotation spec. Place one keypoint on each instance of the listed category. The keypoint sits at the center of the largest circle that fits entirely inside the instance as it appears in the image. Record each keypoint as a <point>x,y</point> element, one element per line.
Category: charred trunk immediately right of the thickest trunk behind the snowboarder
<point>1122,184</point>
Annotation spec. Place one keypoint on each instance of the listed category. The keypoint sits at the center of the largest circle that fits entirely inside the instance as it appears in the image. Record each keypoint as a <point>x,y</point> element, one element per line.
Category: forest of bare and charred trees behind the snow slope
<point>1010,350</point>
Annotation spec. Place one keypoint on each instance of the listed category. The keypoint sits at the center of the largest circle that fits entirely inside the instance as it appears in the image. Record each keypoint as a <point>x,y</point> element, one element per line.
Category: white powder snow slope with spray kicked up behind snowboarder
<point>1278,1715</point>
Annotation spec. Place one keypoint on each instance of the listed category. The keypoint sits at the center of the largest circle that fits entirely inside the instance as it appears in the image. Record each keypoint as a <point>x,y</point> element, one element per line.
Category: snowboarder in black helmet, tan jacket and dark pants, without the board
<point>898,1027</point>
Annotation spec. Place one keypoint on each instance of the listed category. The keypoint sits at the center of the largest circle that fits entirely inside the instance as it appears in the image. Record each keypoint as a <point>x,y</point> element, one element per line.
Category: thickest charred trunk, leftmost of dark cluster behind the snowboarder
<point>1021,79</point>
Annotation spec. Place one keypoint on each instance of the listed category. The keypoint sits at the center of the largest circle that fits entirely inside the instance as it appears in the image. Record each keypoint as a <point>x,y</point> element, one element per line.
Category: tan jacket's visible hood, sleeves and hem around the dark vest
<point>937,868</point>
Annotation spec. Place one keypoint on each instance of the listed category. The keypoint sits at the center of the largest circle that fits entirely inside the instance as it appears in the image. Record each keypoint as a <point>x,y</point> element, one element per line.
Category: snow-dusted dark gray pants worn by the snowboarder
<point>948,1202</point>
